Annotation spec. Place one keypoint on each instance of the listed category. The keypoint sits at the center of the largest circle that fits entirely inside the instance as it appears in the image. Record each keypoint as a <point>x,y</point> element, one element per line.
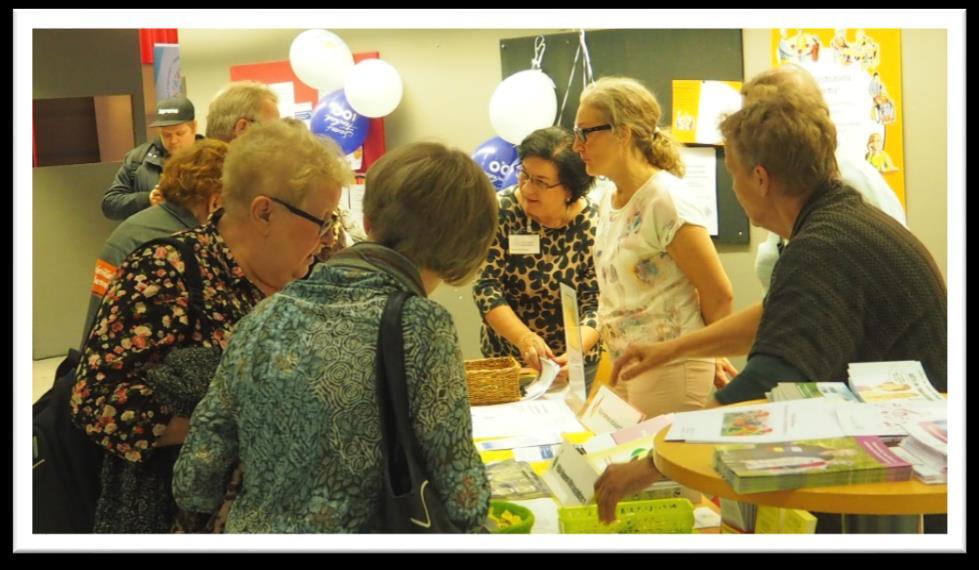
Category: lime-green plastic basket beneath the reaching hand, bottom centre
<point>659,516</point>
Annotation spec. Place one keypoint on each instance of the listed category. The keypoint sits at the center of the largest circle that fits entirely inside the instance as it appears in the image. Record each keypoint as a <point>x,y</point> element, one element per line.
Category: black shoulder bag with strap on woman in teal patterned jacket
<point>409,503</point>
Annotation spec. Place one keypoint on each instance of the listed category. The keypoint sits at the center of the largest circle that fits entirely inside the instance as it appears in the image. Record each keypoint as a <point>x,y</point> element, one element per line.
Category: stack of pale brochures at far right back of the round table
<point>897,380</point>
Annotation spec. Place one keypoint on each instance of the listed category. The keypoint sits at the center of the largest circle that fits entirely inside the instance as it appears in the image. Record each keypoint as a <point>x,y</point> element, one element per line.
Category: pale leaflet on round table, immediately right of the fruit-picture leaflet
<point>886,418</point>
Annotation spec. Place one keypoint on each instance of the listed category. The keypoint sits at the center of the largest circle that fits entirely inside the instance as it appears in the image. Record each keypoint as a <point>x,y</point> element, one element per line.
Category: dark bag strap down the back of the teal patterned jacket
<point>399,449</point>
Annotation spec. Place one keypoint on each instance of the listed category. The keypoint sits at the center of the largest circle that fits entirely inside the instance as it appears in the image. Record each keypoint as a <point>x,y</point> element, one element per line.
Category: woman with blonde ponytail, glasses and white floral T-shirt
<point>659,275</point>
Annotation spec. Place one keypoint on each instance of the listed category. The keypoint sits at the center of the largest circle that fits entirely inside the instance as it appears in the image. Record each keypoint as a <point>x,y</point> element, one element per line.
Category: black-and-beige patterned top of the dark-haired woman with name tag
<point>531,284</point>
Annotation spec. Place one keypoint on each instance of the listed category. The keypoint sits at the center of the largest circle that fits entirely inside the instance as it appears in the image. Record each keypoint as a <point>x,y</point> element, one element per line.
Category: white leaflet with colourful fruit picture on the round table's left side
<point>763,423</point>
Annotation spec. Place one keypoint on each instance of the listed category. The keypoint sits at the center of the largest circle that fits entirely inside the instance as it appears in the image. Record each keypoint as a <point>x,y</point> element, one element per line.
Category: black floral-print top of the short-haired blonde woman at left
<point>143,316</point>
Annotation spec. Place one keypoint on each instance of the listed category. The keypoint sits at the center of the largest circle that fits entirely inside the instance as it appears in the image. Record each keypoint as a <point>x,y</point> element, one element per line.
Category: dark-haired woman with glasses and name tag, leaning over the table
<point>545,236</point>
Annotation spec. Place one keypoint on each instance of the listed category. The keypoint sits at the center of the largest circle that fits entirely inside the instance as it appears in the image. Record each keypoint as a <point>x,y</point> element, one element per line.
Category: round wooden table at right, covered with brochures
<point>901,503</point>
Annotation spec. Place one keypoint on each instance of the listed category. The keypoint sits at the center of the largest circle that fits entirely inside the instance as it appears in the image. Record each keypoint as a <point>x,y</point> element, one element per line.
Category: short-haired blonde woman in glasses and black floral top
<point>157,339</point>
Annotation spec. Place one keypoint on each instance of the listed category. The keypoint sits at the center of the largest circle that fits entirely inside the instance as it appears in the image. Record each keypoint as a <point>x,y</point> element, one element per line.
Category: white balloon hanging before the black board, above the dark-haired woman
<point>522,103</point>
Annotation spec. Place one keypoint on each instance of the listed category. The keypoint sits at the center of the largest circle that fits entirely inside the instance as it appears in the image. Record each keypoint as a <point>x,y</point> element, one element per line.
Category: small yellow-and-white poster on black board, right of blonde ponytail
<point>699,106</point>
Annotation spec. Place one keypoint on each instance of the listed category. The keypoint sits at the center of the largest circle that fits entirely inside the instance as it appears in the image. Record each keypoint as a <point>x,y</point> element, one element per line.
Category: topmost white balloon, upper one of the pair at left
<point>320,59</point>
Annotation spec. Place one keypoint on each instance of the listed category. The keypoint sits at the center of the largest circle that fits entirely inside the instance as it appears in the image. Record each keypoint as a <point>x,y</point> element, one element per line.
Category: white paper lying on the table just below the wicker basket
<point>539,416</point>
